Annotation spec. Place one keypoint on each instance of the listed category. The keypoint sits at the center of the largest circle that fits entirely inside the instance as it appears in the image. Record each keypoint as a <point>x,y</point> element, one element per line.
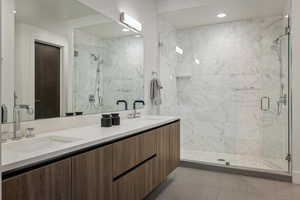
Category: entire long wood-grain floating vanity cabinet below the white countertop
<point>128,169</point>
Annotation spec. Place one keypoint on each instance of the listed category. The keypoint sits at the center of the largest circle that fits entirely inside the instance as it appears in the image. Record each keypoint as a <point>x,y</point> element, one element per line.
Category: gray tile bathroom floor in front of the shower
<point>195,184</point>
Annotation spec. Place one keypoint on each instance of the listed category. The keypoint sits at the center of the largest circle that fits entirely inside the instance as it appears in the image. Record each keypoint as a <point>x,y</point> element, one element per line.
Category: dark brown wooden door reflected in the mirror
<point>47,81</point>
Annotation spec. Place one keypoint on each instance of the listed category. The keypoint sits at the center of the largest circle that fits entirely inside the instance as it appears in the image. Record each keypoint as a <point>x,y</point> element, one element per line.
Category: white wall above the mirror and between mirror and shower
<point>145,12</point>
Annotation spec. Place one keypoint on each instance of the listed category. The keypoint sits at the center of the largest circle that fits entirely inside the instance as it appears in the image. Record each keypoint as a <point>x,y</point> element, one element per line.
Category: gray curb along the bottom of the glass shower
<point>234,170</point>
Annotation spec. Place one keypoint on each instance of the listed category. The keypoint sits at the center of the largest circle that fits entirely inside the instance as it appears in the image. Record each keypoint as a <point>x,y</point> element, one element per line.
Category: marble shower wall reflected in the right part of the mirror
<point>121,72</point>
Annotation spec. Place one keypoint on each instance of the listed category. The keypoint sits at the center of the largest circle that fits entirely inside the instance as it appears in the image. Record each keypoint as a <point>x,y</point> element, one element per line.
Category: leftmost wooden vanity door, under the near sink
<point>52,182</point>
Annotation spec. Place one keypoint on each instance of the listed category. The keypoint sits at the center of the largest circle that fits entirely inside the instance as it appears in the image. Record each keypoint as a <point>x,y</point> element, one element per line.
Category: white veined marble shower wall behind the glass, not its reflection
<point>220,79</point>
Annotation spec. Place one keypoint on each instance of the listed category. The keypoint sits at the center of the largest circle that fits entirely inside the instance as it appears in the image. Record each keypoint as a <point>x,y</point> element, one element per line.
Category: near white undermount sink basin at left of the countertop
<point>38,144</point>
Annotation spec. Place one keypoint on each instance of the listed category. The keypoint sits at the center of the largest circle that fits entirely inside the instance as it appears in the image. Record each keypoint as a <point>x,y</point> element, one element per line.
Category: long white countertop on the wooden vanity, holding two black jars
<point>13,158</point>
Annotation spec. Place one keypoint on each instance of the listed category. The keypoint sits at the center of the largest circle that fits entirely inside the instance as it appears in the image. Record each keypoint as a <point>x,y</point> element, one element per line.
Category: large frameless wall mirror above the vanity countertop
<point>65,59</point>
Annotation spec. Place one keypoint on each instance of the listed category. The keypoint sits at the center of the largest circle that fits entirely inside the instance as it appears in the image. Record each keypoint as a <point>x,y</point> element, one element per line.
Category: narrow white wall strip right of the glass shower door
<point>296,90</point>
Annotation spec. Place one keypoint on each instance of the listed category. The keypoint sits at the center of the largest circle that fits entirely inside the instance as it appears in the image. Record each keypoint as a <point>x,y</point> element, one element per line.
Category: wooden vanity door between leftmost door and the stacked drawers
<point>92,175</point>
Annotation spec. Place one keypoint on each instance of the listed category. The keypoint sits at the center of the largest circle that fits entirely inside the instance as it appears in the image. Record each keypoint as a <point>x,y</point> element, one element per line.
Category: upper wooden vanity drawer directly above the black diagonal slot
<point>130,152</point>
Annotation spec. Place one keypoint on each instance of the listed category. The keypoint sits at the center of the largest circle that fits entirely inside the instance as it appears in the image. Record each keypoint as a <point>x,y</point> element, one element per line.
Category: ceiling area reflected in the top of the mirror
<point>52,14</point>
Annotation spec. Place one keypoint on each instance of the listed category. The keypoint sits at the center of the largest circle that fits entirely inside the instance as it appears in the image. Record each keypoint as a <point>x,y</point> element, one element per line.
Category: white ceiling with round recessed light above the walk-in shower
<point>190,13</point>
